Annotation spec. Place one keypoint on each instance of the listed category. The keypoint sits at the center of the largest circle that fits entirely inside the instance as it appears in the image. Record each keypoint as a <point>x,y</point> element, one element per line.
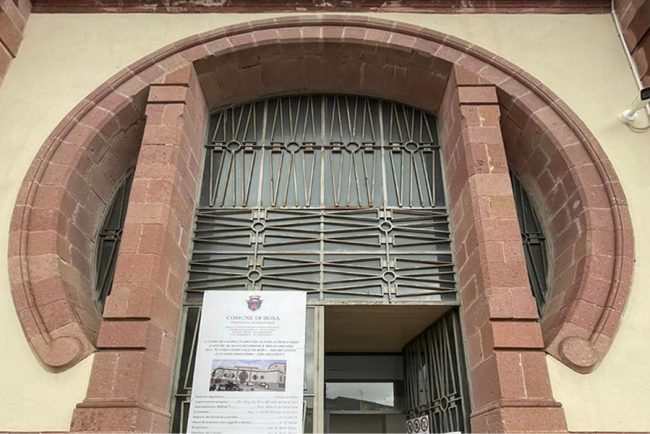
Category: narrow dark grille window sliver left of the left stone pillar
<point>108,240</point>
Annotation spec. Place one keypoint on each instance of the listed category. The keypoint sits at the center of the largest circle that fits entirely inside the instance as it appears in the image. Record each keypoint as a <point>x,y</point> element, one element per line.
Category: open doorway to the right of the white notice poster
<point>384,365</point>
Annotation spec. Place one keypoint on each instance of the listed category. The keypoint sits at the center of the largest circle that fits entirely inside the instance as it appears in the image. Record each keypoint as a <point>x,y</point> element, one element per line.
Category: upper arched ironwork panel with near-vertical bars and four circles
<point>314,151</point>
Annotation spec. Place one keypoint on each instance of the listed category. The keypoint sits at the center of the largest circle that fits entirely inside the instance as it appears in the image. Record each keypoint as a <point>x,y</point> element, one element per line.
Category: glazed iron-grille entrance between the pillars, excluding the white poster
<point>341,197</point>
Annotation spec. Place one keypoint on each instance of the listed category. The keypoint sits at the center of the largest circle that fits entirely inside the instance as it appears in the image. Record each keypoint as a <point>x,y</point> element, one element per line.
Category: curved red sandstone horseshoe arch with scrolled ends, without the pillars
<point>63,196</point>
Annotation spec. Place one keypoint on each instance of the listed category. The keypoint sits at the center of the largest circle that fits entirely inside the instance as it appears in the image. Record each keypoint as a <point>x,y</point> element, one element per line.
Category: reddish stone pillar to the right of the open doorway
<point>505,355</point>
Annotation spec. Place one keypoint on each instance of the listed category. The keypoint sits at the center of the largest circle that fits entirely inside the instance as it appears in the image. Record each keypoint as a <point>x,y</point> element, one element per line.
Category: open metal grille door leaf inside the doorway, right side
<point>435,376</point>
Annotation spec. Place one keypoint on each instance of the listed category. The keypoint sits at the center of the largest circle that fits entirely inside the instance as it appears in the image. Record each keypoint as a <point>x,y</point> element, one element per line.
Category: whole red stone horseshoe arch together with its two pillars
<point>468,88</point>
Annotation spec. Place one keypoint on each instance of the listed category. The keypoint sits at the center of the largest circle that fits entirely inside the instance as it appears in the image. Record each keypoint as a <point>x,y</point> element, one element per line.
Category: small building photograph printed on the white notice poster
<point>248,375</point>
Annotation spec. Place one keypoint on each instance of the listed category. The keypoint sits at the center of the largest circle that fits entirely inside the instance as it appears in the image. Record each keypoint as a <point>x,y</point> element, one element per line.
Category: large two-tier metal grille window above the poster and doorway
<point>338,196</point>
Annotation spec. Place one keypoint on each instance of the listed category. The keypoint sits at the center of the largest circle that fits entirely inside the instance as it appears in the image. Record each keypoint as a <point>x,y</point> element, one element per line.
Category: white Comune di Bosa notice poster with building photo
<point>248,376</point>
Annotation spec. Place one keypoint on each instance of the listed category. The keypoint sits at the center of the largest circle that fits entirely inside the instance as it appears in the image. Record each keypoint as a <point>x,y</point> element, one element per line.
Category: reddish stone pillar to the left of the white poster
<point>143,312</point>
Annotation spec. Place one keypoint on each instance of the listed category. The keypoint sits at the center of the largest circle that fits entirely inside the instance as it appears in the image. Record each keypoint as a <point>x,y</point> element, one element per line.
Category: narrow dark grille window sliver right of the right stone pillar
<point>534,243</point>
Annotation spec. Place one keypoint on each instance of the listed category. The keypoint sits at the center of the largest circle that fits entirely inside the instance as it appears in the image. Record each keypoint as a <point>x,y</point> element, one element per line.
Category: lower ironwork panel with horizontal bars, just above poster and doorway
<point>339,253</point>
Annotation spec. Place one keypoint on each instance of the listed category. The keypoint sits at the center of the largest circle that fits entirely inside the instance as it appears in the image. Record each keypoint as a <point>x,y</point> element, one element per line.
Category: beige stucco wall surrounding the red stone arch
<point>64,57</point>
